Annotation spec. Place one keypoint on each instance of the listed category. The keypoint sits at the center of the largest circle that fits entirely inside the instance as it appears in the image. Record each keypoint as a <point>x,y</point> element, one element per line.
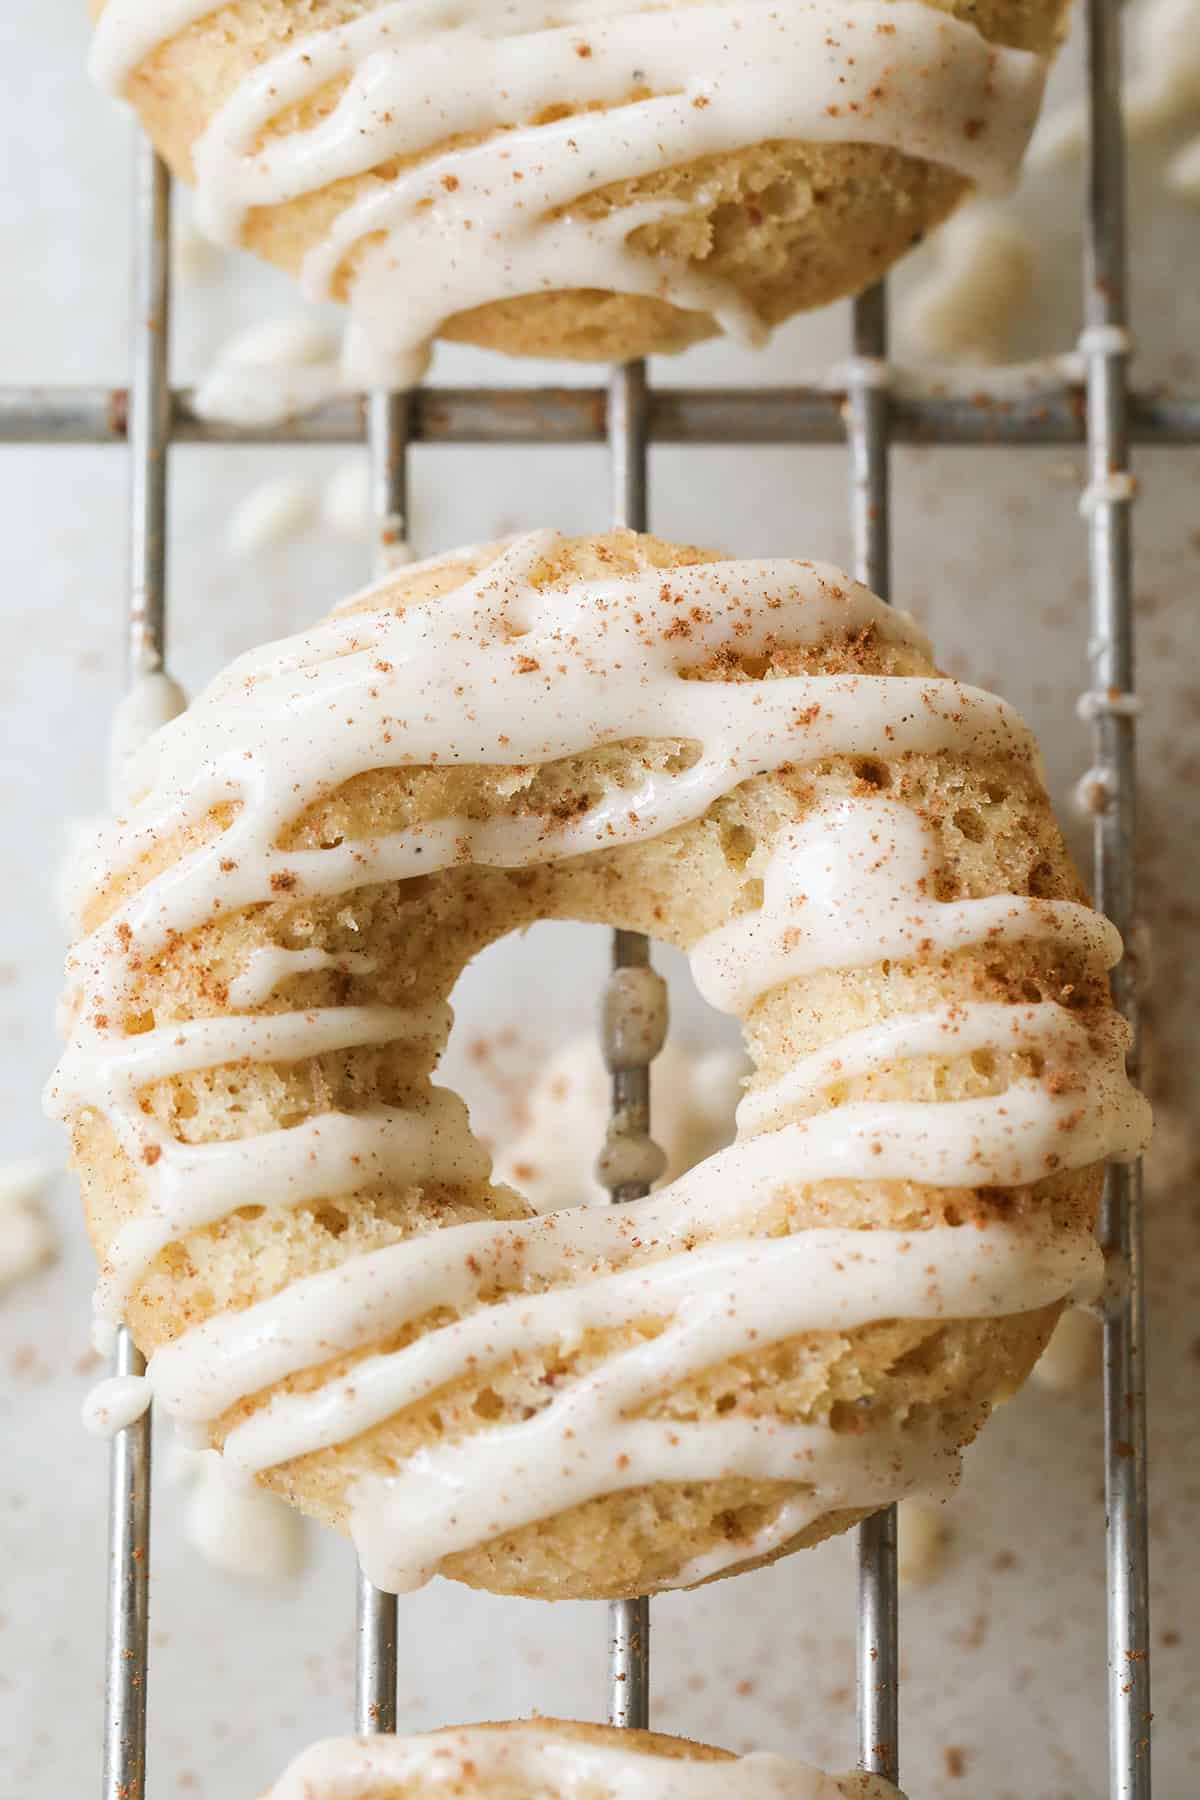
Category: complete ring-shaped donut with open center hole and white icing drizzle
<point>751,760</point>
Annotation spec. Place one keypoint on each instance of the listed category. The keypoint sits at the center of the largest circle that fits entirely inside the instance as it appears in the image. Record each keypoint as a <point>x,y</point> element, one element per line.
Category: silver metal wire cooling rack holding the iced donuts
<point>868,413</point>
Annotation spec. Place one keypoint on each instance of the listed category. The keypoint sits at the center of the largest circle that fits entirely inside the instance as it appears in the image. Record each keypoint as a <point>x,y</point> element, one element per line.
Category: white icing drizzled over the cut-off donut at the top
<point>654,89</point>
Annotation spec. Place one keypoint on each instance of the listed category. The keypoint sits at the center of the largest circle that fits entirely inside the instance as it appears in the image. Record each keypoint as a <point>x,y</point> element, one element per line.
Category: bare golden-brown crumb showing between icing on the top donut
<point>784,226</point>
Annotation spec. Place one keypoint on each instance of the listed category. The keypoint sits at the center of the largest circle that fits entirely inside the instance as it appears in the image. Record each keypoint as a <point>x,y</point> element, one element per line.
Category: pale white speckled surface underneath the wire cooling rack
<point>1005,1657</point>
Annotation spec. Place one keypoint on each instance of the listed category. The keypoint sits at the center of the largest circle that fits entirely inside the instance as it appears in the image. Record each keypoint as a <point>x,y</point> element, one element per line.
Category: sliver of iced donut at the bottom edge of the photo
<point>555,1759</point>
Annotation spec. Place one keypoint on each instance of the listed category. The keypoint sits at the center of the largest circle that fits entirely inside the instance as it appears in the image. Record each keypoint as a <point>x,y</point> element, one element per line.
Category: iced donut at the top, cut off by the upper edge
<point>578,177</point>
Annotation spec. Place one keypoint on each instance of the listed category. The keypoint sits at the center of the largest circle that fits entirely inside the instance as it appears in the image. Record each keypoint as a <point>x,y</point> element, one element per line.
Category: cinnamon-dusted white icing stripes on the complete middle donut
<point>505,672</point>
